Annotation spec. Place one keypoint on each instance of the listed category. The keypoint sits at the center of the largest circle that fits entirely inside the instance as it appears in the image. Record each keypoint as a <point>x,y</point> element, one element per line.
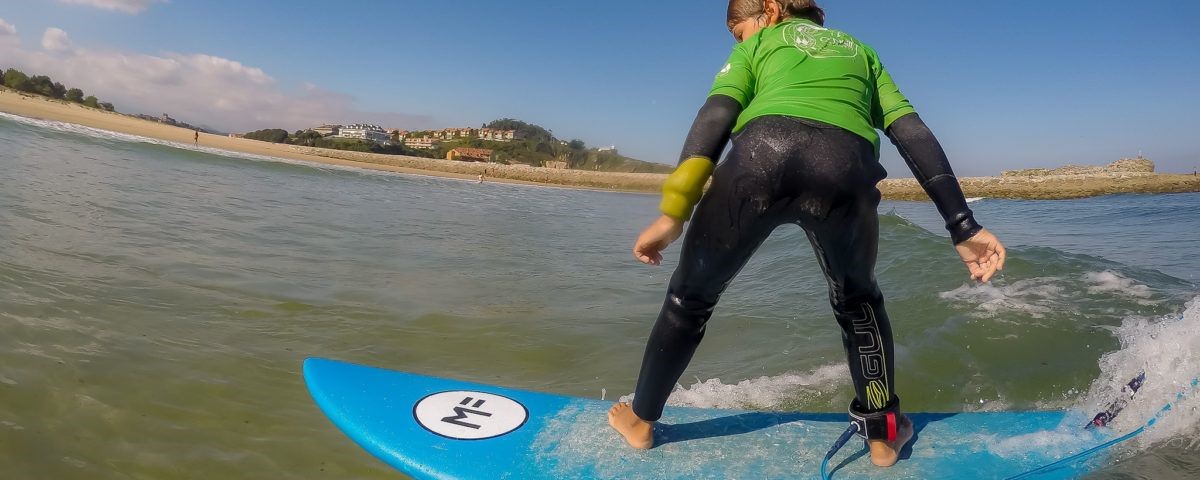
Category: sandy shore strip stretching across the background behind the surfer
<point>1037,188</point>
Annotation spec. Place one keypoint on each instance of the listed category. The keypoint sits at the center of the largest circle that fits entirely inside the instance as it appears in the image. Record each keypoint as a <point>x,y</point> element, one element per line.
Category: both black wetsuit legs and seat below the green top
<point>779,171</point>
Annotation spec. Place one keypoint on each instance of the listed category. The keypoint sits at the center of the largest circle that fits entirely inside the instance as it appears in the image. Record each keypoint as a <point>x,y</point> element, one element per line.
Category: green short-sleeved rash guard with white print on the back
<point>799,69</point>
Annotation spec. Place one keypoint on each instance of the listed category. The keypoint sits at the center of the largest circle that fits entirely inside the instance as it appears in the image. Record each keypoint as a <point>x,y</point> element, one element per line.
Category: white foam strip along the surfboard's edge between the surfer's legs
<point>764,393</point>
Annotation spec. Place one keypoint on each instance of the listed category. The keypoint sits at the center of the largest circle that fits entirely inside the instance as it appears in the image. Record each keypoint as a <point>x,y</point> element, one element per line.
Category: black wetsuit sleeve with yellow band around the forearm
<point>706,141</point>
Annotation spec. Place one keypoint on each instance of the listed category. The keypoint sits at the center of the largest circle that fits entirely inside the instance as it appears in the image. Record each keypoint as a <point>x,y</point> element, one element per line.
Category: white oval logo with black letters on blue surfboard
<point>470,416</point>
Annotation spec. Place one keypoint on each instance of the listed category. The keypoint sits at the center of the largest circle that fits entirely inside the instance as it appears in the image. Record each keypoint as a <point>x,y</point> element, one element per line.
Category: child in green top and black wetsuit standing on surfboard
<point>803,105</point>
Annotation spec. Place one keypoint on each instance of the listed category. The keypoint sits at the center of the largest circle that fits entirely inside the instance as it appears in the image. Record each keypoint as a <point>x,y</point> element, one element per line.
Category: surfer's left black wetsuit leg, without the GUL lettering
<point>731,221</point>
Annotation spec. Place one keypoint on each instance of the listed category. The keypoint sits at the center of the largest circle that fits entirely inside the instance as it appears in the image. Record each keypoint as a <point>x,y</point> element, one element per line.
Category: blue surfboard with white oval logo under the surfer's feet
<point>442,429</point>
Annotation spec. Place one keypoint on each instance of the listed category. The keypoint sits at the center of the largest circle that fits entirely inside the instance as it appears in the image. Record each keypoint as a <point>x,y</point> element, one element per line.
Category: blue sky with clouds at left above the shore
<point>1004,85</point>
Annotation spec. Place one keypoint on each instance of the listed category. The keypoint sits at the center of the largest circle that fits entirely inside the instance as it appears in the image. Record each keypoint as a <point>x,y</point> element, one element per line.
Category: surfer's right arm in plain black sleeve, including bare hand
<point>982,253</point>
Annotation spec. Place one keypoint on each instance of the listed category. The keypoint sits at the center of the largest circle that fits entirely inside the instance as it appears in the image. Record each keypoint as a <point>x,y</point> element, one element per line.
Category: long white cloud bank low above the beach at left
<point>195,88</point>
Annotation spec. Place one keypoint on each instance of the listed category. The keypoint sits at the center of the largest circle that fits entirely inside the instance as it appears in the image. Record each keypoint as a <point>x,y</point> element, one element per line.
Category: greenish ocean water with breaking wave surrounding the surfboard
<point>157,303</point>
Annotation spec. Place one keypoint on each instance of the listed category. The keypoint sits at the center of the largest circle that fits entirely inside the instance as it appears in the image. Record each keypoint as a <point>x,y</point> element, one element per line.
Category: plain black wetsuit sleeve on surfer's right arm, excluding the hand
<point>929,165</point>
